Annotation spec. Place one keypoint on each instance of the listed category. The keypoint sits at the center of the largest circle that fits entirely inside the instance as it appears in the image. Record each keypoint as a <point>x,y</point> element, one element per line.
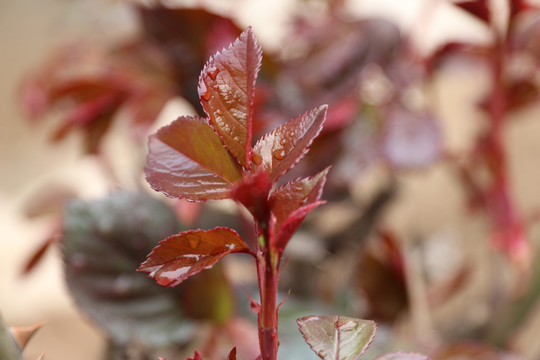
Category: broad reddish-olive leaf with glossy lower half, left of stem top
<point>187,160</point>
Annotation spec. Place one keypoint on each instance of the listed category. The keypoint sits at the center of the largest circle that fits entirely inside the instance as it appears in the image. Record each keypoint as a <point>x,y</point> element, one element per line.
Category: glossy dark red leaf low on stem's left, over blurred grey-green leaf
<point>180,256</point>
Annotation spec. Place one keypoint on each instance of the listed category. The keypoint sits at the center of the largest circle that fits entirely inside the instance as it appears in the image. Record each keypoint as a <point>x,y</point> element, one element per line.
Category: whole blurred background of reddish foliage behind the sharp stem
<point>431,222</point>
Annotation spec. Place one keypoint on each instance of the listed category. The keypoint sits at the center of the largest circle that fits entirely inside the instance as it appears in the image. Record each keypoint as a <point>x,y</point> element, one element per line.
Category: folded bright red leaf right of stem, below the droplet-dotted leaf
<point>292,202</point>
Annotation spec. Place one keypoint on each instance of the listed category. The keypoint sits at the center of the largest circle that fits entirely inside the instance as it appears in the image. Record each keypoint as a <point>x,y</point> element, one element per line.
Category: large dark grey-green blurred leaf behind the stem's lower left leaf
<point>103,244</point>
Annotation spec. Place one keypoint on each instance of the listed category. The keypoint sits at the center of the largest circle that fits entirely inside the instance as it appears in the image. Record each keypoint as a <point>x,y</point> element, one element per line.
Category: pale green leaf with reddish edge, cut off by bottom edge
<point>337,337</point>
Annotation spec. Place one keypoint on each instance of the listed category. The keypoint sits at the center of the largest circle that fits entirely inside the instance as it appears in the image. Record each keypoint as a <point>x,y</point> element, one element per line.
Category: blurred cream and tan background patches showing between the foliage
<point>430,204</point>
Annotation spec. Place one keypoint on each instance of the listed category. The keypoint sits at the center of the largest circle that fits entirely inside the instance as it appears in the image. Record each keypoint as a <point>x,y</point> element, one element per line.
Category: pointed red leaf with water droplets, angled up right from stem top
<point>279,150</point>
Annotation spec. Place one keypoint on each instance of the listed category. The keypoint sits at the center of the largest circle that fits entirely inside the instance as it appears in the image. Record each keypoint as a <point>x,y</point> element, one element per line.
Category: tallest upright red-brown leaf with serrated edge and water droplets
<point>226,90</point>
